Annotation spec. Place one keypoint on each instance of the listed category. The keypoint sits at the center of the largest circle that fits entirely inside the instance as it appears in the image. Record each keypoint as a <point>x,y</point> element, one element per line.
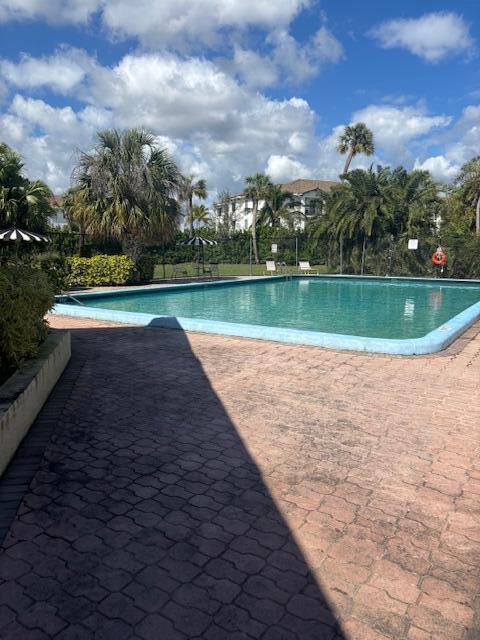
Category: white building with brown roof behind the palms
<point>306,194</point>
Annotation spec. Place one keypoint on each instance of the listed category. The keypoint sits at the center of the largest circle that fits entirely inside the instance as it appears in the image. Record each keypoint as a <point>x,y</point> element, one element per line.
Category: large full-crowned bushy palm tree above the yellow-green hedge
<point>131,187</point>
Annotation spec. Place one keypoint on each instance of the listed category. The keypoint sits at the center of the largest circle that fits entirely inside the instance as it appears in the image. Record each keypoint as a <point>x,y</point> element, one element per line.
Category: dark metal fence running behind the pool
<point>235,255</point>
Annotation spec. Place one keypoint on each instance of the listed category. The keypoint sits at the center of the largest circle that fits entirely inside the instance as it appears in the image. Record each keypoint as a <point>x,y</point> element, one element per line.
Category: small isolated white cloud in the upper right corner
<point>432,37</point>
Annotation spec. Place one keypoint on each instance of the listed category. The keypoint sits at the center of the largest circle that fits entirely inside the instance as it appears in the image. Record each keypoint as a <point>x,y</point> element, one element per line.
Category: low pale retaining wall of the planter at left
<point>24,393</point>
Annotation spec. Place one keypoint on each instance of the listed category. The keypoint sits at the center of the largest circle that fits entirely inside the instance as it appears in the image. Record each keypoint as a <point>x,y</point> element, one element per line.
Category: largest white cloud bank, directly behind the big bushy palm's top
<point>214,124</point>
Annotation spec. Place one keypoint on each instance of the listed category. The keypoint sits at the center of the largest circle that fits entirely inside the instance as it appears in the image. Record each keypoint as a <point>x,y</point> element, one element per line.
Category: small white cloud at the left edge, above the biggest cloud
<point>62,72</point>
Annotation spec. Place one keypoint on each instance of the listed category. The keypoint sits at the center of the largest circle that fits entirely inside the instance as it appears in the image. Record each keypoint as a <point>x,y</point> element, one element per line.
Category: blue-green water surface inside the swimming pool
<point>393,309</point>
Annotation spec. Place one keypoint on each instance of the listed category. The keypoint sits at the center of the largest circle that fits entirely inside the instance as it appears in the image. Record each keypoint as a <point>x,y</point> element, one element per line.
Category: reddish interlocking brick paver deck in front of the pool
<point>219,488</point>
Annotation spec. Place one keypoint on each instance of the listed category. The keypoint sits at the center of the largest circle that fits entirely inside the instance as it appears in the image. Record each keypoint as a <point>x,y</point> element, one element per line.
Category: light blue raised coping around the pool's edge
<point>432,342</point>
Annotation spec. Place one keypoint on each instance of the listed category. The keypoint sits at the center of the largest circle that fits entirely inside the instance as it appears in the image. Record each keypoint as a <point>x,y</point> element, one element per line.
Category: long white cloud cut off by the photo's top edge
<point>179,24</point>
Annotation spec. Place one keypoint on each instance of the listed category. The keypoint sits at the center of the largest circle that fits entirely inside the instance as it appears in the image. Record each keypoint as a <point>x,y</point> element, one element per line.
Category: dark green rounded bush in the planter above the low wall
<point>26,294</point>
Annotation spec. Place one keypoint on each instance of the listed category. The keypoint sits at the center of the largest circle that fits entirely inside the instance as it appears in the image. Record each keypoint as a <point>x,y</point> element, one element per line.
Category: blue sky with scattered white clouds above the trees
<point>232,87</point>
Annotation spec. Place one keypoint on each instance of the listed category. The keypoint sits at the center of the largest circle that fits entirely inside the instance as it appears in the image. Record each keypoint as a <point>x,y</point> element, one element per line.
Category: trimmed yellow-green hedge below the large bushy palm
<point>100,270</point>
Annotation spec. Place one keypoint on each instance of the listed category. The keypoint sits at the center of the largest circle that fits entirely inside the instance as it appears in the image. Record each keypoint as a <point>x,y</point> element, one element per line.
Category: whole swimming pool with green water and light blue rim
<point>393,315</point>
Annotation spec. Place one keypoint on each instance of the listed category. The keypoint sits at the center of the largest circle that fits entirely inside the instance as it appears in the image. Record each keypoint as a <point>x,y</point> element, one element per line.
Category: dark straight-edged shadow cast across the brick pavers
<point>148,518</point>
